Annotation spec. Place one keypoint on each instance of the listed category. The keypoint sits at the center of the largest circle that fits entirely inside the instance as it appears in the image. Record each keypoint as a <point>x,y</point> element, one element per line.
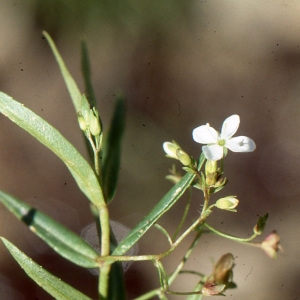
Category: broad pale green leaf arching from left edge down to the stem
<point>53,139</point>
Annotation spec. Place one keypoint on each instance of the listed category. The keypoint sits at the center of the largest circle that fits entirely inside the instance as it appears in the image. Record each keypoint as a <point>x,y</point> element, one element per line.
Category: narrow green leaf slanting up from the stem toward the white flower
<point>162,207</point>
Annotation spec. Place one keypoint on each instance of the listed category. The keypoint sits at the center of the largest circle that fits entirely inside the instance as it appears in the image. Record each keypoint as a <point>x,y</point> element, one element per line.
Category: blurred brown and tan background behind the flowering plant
<point>180,64</point>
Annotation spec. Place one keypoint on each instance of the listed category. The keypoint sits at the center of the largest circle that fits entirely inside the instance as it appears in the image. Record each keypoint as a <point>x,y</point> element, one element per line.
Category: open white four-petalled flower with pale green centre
<point>217,144</point>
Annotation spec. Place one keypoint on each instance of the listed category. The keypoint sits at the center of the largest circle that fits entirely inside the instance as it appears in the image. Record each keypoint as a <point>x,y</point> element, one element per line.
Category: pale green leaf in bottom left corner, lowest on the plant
<point>50,283</point>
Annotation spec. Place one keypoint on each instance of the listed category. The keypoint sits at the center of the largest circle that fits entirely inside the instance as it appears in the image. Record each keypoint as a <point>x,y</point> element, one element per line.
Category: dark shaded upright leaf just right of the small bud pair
<point>111,154</point>
